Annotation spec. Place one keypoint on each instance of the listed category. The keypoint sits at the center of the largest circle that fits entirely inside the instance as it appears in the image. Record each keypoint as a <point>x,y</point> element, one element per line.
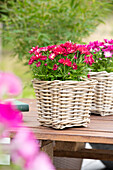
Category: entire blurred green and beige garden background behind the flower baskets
<point>27,23</point>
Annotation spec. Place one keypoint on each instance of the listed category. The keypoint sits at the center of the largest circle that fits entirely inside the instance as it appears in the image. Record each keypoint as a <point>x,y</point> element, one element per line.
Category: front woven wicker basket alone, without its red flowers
<point>62,104</point>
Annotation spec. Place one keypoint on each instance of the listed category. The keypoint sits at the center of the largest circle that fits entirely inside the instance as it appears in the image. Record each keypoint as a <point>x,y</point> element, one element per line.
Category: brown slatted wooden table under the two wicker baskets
<point>70,142</point>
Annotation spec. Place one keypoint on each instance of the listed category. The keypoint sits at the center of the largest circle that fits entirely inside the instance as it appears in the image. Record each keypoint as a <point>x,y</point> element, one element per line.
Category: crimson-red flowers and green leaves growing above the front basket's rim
<point>68,61</point>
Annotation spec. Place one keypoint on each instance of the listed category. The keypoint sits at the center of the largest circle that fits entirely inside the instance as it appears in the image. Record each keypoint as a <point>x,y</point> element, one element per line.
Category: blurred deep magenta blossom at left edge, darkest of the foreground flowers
<point>10,117</point>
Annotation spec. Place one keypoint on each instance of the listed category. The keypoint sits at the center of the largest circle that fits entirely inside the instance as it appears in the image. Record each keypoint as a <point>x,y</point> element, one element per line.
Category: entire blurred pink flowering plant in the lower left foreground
<point>24,148</point>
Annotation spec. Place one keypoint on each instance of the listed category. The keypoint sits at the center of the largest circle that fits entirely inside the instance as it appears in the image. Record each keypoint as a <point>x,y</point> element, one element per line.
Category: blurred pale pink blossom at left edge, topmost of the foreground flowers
<point>10,84</point>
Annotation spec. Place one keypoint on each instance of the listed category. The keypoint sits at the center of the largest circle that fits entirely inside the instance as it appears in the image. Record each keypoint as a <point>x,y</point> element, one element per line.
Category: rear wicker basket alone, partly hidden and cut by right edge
<point>103,96</point>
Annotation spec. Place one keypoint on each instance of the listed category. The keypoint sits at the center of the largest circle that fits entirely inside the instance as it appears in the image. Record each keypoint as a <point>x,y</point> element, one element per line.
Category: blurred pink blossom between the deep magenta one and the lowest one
<point>24,146</point>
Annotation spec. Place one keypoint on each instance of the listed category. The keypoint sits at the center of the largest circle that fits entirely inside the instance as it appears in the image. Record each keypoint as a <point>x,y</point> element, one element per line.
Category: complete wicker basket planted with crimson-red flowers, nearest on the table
<point>63,97</point>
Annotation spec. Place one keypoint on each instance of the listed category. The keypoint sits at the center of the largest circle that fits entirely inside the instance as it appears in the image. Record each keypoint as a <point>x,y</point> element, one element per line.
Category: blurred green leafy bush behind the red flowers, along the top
<point>47,22</point>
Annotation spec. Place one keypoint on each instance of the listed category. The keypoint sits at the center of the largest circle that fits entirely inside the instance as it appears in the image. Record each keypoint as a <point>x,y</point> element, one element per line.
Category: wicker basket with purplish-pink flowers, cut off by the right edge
<point>102,71</point>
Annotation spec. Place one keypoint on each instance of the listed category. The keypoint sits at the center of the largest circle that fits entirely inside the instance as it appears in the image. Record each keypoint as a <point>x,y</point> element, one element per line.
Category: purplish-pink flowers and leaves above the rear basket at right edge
<point>103,55</point>
